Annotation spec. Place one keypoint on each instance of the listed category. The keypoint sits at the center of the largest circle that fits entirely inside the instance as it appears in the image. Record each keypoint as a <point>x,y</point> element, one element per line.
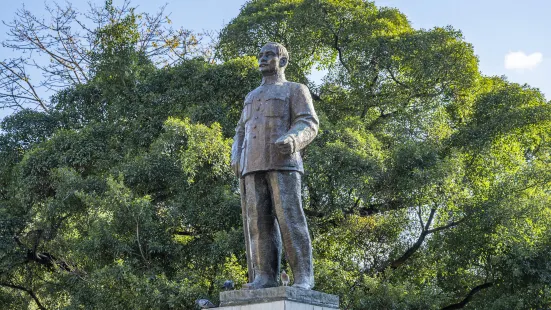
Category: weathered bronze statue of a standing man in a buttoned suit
<point>278,121</point>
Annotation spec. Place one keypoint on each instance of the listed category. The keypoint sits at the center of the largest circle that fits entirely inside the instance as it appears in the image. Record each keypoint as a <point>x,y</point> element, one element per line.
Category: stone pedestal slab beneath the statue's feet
<point>278,298</point>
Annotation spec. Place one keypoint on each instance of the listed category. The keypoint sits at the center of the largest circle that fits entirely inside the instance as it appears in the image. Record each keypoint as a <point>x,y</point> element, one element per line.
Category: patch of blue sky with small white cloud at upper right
<point>497,29</point>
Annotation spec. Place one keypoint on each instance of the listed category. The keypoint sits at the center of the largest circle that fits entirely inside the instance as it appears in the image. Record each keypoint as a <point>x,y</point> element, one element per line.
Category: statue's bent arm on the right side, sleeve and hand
<point>304,121</point>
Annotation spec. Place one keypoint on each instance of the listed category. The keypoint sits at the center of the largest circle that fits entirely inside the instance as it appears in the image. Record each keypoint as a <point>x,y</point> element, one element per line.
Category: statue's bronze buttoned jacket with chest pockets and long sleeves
<point>272,112</point>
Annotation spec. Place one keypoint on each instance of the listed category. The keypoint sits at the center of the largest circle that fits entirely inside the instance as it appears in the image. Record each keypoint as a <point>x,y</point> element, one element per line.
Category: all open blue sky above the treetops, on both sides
<point>510,37</point>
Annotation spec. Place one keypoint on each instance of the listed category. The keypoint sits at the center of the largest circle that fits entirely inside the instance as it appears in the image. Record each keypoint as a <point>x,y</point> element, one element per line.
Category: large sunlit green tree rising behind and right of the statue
<point>409,128</point>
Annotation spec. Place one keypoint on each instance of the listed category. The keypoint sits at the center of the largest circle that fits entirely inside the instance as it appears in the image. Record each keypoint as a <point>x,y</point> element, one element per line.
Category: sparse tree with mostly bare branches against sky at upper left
<point>68,43</point>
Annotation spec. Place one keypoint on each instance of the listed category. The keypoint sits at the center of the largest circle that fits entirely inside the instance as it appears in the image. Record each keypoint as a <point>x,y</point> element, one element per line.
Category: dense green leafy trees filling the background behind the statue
<point>428,186</point>
